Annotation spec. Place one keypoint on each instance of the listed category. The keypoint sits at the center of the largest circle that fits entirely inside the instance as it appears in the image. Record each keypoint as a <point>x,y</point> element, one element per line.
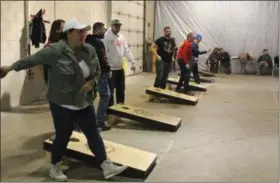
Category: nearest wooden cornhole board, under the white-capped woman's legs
<point>140,163</point>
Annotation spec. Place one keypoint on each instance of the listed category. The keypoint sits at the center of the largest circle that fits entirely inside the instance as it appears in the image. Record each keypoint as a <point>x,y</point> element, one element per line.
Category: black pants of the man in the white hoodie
<point>117,81</point>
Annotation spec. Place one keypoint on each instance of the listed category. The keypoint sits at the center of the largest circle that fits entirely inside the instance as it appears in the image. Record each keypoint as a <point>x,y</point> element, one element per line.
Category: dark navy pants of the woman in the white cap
<point>63,119</point>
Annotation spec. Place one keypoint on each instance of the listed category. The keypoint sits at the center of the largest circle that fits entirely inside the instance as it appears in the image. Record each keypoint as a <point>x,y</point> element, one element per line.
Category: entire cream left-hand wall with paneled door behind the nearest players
<point>16,89</point>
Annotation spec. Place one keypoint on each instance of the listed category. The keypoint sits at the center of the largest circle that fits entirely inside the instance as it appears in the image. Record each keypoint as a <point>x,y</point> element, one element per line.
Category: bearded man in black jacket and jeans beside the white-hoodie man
<point>103,85</point>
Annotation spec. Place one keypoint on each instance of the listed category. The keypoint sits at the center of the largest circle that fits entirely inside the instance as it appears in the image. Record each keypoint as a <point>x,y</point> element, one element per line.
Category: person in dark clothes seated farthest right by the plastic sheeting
<point>264,62</point>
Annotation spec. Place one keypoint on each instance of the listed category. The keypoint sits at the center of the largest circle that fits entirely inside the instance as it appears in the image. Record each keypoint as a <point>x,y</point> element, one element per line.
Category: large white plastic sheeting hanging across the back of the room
<point>237,26</point>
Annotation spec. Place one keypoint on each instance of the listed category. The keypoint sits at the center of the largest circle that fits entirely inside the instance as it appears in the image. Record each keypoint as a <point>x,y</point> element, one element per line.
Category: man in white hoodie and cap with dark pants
<point>116,50</point>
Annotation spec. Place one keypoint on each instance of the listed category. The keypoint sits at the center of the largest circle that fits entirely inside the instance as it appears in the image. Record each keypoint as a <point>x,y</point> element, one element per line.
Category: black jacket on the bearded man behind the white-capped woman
<point>99,46</point>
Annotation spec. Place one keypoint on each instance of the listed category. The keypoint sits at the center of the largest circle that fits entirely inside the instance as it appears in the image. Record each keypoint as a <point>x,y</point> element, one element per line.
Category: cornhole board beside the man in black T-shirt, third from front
<point>178,97</point>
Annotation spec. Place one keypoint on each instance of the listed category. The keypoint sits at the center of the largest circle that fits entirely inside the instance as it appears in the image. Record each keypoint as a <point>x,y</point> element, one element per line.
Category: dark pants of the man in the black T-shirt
<point>162,72</point>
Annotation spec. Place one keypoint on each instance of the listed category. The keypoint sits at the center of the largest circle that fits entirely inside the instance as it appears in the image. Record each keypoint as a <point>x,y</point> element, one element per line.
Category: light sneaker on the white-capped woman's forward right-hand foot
<point>110,169</point>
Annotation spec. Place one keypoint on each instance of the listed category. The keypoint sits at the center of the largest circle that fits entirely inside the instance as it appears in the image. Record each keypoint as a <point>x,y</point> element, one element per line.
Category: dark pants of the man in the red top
<point>184,76</point>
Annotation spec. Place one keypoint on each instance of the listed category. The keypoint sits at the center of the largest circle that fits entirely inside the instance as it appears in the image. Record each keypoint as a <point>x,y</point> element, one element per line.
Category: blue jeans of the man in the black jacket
<point>104,93</point>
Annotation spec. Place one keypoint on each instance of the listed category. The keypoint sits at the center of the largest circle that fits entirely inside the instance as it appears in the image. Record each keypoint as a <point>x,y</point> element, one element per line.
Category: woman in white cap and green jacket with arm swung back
<point>73,73</point>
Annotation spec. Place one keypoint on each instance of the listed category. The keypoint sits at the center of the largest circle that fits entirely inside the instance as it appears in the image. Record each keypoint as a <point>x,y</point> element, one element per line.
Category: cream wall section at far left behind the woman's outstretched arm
<point>12,23</point>
